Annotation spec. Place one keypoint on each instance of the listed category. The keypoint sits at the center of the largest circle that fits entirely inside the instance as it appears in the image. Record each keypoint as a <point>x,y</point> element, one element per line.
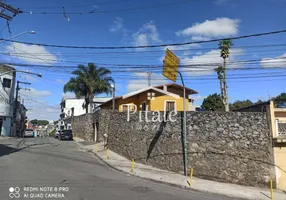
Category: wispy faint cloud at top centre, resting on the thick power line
<point>146,35</point>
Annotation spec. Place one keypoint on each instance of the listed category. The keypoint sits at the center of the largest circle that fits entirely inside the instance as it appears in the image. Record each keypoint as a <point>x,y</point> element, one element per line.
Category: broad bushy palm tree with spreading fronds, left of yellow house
<point>89,81</point>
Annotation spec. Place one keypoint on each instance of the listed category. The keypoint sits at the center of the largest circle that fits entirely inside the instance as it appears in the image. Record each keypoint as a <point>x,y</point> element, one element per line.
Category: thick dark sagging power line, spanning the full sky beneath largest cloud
<point>147,46</point>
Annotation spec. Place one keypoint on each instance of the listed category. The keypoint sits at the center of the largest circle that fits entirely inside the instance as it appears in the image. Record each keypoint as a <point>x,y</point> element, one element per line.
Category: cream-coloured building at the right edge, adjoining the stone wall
<point>277,121</point>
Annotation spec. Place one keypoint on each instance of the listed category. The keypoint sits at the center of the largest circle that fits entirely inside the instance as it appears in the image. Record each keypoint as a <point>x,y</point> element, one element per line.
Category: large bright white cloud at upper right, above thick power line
<point>220,27</point>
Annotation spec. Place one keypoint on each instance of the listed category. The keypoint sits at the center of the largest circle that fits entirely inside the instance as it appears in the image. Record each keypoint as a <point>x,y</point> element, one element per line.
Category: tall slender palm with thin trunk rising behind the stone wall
<point>224,46</point>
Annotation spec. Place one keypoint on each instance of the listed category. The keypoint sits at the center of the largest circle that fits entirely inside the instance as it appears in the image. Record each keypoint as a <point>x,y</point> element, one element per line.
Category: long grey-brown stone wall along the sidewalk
<point>230,147</point>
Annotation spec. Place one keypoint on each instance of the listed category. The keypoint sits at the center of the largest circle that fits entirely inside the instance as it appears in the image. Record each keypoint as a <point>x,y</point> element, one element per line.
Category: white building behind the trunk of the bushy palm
<point>74,107</point>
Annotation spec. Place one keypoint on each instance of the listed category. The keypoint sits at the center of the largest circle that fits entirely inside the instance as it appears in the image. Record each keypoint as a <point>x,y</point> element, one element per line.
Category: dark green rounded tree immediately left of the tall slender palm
<point>213,103</point>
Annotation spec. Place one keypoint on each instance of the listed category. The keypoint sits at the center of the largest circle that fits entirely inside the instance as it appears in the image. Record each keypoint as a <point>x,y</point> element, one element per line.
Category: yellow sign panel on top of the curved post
<point>171,65</point>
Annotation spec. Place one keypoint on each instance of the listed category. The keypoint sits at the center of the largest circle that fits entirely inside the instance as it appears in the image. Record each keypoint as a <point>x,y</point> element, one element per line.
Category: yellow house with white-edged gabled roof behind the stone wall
<point>160,98</point>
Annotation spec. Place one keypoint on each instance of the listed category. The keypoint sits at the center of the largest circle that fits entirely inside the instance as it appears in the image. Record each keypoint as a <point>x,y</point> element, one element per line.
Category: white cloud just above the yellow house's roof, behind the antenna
<point>141,81</point>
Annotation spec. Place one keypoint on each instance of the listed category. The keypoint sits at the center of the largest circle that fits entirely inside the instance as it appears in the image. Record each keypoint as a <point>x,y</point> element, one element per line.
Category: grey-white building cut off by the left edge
<point>7,89</point>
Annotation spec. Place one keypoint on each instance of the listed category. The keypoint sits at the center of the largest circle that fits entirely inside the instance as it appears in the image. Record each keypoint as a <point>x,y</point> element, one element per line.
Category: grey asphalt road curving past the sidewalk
<point>35,164</point>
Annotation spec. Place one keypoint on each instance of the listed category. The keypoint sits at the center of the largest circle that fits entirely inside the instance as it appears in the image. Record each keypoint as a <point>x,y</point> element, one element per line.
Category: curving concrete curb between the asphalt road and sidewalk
<point>158,181</point>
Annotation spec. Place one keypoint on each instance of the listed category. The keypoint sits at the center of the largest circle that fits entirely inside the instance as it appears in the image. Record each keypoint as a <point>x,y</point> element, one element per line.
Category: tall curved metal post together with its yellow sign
<point>171,71</point>
